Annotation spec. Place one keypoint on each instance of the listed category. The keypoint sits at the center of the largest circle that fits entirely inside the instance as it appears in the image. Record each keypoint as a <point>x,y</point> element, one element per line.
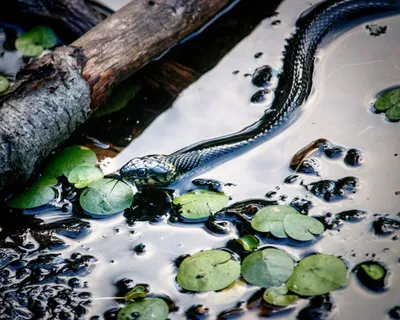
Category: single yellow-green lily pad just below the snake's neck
<point>200,204</point>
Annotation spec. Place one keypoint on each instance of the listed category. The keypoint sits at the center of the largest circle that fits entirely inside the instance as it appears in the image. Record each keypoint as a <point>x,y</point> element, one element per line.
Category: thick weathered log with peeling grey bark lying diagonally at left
<point>58,92</point>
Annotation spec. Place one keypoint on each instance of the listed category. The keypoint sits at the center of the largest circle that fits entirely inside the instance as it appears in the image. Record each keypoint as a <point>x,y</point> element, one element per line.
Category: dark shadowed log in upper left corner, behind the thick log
<point>72,18</point>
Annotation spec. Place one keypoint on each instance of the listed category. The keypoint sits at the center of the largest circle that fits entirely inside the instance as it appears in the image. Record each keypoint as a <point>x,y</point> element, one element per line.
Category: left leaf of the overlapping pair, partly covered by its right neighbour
<point>270,219</point>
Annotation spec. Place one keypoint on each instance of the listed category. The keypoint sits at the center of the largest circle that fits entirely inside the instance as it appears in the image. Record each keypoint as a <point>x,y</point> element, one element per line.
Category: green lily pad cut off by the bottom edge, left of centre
<point>145,309</point>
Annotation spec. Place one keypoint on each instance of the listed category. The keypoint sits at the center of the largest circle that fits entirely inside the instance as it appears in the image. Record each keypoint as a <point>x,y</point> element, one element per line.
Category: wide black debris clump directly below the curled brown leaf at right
<point>331,190</point>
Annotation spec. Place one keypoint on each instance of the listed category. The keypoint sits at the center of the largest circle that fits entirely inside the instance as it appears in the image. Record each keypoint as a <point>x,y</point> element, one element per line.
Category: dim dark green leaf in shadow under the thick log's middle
<point>119,98</point>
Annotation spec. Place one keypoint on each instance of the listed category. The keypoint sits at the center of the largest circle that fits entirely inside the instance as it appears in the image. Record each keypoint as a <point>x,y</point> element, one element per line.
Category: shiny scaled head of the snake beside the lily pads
<point>149,170</point>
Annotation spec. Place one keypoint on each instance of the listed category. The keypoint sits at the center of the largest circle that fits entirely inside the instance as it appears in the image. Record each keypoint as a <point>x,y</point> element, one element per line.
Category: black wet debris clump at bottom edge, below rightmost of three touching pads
<point>319,308</point>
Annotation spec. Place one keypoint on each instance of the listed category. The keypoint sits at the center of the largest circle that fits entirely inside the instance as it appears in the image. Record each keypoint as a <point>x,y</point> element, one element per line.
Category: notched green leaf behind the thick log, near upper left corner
<point>33,42</point>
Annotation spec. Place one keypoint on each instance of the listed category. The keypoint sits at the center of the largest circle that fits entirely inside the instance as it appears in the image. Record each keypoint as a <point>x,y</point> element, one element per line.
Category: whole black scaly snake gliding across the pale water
<point>294,86</point>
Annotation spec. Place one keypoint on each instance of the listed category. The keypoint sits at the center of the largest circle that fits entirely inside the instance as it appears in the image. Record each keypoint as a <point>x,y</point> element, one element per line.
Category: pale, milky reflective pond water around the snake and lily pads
<point>351,69</point>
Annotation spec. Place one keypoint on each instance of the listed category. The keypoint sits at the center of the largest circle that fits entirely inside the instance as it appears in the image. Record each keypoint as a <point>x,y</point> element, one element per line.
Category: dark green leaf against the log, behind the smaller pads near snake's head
<point>64,161</point>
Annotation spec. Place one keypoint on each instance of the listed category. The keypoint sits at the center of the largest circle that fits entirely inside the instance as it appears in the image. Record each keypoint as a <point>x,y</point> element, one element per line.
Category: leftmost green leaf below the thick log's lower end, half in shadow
<point>35,196</point>
